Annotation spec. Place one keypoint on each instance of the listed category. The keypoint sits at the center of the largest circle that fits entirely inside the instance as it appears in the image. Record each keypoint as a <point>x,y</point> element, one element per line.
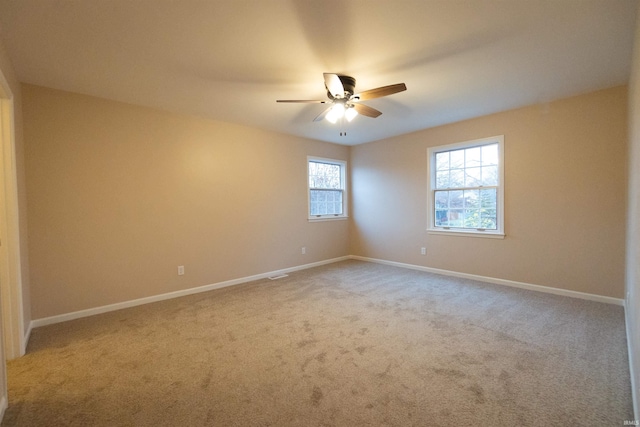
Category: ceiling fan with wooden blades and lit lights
<point>345,102</point>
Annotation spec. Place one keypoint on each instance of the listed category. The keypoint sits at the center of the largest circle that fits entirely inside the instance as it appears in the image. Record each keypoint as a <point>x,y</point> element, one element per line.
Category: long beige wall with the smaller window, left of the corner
<point>120,195</point>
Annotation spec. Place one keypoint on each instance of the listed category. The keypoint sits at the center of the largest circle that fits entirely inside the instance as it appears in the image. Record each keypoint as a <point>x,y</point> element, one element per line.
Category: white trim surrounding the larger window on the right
<point>431,228</point>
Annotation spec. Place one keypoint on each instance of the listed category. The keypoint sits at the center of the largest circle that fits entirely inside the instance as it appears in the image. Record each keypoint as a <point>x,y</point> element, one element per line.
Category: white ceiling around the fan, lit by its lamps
<point>231,59</point>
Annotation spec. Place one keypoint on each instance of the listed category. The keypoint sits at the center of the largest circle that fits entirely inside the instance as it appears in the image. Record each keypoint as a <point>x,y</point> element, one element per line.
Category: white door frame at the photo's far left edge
<point>10,263</point>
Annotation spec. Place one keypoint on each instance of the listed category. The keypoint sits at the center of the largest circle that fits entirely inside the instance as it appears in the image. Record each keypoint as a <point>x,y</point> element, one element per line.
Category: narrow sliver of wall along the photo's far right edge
<point>633,218</point>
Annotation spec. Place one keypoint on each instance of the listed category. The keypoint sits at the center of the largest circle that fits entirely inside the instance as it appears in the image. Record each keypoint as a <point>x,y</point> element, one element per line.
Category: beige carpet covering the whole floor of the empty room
<point>347,344</point>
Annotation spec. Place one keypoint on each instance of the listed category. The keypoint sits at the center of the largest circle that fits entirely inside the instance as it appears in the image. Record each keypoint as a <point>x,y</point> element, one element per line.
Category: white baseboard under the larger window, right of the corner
<point>511,283</point>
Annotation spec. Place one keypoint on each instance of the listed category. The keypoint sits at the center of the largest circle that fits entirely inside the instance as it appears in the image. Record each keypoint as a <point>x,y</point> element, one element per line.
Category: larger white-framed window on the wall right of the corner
<point>466,183</point>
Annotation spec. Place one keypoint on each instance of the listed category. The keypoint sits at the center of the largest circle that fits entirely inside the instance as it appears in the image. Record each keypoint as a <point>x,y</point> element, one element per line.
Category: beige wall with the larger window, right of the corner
<point>565,197</point>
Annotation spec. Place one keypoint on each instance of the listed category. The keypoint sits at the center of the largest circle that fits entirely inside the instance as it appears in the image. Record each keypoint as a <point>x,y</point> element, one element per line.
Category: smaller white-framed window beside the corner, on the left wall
<point>327,195</point>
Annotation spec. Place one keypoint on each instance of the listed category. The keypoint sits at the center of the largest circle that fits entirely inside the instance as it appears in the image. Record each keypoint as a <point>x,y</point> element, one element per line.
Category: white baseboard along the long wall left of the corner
<point>126,304</point>
